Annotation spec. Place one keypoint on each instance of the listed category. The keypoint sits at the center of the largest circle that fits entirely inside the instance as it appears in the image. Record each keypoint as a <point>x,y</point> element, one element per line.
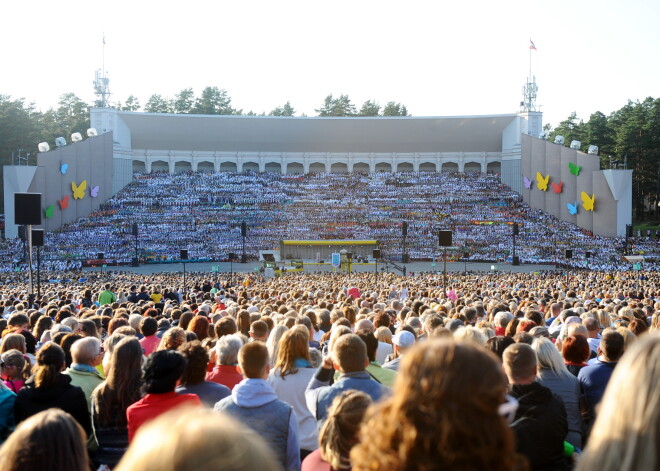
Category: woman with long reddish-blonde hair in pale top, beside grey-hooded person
<point>293,371</point>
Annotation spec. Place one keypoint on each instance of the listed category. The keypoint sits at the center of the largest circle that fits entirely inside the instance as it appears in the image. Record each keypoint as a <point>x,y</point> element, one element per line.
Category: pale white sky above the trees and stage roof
<point>439,58</point>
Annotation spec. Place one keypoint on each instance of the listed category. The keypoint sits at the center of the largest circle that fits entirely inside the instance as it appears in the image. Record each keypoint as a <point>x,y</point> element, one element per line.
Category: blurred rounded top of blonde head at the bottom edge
<point>200,439</point>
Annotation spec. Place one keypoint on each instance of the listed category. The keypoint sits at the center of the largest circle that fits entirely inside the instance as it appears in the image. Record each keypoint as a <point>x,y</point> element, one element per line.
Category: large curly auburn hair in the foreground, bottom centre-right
<point>430,419</point>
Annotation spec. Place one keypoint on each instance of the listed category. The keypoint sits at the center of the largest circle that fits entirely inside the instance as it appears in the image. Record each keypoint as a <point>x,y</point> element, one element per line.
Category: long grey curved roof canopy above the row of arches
<point>290,134</point>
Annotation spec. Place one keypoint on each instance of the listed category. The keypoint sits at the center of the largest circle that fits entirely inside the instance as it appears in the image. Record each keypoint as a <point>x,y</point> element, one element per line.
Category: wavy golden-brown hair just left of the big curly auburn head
<point>339,432</point>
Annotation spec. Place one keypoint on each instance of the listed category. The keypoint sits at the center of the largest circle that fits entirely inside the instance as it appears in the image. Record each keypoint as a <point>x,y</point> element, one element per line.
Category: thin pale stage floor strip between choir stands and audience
<point>224,267</point>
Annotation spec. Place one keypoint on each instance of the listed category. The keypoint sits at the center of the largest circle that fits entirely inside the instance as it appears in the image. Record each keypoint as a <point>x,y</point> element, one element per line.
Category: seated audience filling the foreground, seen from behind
<point>498,371</point>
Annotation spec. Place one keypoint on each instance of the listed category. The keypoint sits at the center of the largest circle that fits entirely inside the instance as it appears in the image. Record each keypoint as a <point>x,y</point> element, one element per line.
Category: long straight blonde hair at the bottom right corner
<point>626,432</point>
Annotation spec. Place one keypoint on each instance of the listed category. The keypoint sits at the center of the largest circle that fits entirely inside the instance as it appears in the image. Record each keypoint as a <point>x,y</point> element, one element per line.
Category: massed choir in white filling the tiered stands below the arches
<point>203,212</point>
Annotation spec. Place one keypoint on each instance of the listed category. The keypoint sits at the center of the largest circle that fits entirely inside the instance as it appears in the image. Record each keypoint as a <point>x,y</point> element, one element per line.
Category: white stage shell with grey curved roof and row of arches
<point>185,142</point>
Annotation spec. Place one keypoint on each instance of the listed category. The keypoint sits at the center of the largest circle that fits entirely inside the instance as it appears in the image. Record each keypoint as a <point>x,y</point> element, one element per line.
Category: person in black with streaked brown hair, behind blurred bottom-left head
<point>48,388</point>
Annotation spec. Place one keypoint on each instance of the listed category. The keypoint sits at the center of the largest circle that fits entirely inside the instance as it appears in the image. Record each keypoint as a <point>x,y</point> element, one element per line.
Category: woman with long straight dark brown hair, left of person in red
<point>111,399</point>
